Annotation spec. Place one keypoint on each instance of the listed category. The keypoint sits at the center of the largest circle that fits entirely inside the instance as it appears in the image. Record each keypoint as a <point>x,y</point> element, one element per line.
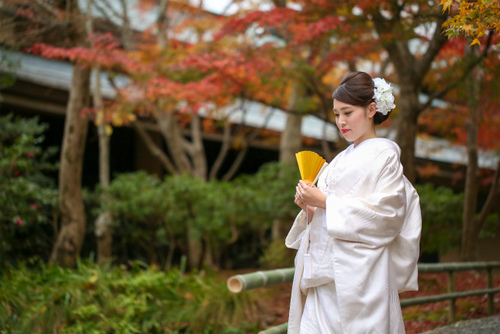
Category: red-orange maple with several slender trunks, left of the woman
<point>170,83</point>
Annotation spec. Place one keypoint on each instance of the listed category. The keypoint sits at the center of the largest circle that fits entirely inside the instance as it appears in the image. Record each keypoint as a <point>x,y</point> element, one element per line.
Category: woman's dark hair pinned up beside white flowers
<point>357,89</point>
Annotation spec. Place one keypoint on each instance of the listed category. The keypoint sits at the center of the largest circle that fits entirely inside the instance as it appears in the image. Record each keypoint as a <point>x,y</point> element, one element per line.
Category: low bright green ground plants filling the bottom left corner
<point>94,299</point>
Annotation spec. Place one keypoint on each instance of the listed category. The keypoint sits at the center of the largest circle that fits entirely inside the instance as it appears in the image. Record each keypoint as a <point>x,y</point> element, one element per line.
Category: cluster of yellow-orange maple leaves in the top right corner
<point>472,18</point>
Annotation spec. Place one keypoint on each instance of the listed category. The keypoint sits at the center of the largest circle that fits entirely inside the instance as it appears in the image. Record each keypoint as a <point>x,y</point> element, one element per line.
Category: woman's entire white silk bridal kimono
<point>357,255</point>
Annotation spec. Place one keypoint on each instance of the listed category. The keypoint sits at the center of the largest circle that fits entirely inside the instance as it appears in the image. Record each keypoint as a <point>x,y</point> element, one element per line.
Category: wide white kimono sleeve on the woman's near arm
<point>373,214</point>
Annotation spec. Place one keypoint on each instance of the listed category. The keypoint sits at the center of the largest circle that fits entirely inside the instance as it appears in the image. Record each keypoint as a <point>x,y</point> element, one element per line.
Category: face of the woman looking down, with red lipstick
<point>355,122</point>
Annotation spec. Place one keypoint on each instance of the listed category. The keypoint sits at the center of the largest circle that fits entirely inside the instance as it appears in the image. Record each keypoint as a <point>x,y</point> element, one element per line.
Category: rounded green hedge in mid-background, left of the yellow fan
<point>154,214</point>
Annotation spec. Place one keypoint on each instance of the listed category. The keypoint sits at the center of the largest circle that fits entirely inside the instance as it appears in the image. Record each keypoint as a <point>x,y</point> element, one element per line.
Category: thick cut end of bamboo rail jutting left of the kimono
<point>258,279</point>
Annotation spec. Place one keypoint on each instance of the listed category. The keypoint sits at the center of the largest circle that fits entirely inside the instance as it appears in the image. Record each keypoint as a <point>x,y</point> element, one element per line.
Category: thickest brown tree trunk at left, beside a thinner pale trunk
<point>70,239</point>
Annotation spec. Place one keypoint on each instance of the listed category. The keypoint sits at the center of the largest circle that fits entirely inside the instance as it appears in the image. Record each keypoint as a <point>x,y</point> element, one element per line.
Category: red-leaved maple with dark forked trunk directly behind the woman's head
<point>398,40</point>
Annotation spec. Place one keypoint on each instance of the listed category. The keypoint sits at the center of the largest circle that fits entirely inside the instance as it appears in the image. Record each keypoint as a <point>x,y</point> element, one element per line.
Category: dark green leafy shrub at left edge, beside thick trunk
<point>28,197</point>
